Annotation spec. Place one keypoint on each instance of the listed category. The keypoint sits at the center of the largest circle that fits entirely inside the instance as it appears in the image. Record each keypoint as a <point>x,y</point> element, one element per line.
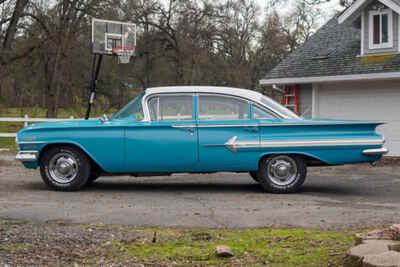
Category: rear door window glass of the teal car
<point>215,107</point>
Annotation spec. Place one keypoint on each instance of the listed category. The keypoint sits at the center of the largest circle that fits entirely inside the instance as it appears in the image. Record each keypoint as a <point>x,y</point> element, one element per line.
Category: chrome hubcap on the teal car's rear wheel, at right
<point>282,170</point>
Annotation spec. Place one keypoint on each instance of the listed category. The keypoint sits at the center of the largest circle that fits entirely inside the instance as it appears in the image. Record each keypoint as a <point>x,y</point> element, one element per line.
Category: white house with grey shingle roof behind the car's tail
<point>350,68</point>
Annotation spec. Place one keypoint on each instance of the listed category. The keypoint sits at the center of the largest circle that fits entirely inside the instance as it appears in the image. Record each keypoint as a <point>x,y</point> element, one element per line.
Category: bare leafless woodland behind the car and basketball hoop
<point>206,42</point>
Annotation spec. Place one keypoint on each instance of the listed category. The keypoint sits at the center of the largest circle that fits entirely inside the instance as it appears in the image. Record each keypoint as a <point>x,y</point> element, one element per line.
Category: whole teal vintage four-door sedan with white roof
<point>197,129</point>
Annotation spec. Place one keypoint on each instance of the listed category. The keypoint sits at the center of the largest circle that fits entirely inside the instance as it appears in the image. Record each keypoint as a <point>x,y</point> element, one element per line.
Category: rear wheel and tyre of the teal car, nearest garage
<point>282,173</point>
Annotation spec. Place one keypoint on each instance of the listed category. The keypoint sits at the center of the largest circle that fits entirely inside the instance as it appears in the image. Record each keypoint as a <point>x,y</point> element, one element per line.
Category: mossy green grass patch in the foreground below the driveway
<point>275,247</point>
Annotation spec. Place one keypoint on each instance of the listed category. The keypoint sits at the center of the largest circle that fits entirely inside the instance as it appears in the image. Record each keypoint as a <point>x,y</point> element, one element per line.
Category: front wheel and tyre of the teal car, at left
<point>64,168</point>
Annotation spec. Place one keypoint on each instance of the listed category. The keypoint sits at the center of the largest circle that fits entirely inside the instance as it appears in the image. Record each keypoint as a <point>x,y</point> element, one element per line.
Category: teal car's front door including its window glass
<point>168,143</point>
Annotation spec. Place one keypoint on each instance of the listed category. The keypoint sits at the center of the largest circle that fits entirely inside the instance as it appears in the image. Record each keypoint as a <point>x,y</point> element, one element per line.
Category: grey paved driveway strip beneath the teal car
<point>334,198</point>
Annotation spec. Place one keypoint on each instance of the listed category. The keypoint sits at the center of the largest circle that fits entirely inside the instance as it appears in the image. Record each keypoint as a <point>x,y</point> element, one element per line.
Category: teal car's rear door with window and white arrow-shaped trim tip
<point>228,138</point>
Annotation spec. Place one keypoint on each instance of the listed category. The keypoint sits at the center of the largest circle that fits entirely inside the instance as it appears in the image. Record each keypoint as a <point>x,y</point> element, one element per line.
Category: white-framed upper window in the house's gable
<point>380,29</point>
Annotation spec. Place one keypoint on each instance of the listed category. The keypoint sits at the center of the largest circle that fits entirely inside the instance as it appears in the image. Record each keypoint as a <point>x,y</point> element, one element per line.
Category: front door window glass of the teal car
<point>171,108</point>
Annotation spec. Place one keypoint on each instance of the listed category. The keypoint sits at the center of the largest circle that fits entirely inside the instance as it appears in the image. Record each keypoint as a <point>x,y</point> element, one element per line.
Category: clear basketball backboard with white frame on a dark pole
<point>112,37</point>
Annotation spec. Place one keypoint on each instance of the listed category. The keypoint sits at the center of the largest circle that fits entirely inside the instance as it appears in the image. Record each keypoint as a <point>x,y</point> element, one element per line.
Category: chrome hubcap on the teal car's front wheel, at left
<point>63,168</point>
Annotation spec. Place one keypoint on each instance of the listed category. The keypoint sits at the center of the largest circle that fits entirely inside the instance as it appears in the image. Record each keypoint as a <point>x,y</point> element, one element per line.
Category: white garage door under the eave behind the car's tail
<point>365,101</point>
